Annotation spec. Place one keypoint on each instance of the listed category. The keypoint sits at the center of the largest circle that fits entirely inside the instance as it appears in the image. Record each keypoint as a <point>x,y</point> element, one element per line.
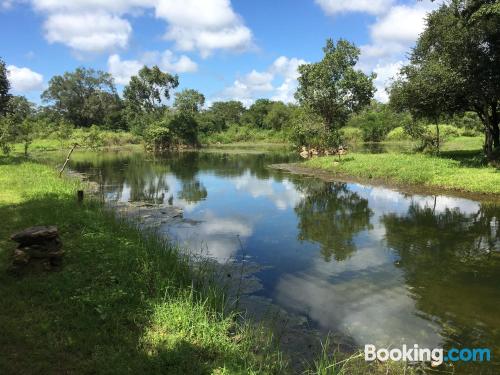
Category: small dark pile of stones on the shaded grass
<point>38,244</point>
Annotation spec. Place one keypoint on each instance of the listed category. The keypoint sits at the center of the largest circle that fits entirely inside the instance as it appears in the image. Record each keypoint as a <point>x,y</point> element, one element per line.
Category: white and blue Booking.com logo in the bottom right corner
<point>435,356</point>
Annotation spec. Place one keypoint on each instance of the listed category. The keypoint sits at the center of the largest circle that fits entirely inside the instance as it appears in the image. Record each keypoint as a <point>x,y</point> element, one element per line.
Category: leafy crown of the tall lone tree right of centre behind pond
<point>332,88</point>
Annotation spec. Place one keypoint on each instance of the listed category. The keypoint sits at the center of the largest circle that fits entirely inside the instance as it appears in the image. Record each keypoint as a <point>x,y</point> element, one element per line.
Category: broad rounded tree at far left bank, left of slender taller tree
<point>83,97</point>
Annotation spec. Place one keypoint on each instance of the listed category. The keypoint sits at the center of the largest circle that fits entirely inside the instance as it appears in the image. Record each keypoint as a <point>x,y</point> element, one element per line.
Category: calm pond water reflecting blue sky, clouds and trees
<point>373,264</point>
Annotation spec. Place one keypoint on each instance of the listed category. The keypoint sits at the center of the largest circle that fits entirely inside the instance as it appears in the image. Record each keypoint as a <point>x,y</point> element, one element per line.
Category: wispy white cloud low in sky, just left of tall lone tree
<point>257,84</point>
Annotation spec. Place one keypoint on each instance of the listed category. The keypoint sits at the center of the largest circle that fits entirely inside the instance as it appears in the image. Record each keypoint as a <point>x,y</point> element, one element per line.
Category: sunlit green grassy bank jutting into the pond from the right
<point>460,171</point>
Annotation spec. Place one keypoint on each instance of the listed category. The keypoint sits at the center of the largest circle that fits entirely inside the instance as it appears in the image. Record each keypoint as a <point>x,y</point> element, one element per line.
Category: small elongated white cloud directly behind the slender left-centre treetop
<point>122,70</point>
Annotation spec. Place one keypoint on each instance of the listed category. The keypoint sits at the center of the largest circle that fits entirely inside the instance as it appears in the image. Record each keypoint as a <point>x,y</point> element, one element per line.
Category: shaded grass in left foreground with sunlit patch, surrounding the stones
<point>99,313</point>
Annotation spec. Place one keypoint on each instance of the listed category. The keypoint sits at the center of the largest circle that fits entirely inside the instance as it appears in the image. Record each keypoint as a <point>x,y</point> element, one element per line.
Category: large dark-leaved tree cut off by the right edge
<point>456,66</point>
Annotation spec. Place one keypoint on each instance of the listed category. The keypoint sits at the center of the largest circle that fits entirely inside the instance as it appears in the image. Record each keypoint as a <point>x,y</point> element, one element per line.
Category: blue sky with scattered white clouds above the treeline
<point>239,49</point>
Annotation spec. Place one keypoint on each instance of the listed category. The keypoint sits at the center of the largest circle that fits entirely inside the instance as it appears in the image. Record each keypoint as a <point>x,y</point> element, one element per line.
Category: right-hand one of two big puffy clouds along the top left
<point>204,25</point>
